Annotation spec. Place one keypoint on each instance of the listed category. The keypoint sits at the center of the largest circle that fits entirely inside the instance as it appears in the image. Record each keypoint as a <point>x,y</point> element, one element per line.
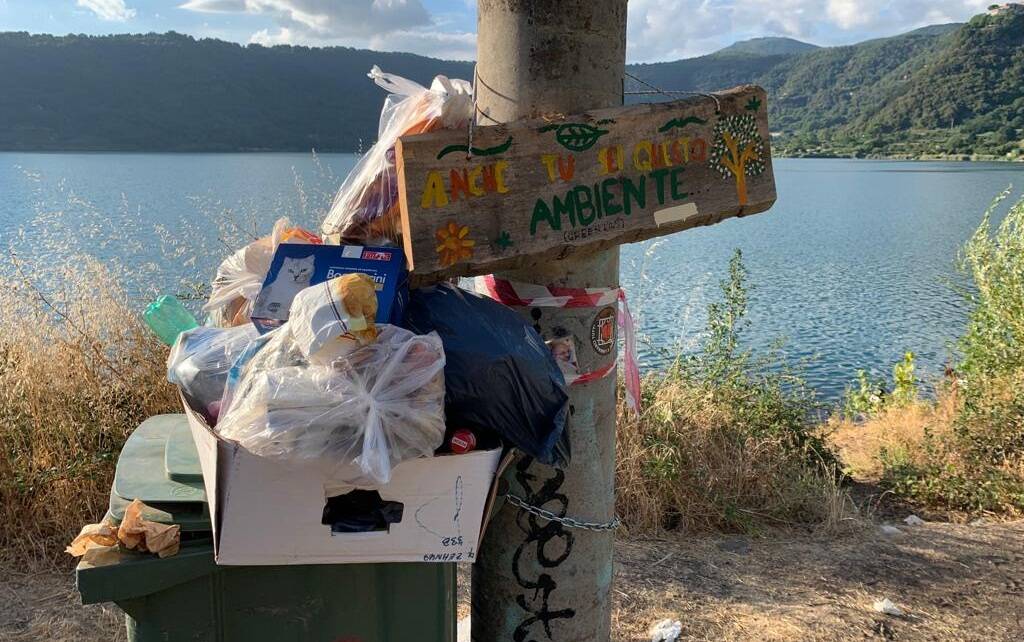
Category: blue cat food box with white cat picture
<point>296,267</point>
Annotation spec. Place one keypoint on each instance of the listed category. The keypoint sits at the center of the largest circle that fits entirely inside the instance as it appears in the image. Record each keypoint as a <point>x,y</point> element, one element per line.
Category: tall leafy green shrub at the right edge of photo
<point>977,462</point>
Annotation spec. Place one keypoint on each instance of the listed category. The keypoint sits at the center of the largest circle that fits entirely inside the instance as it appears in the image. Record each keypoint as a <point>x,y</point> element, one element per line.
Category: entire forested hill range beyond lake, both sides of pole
<point>946,90</point>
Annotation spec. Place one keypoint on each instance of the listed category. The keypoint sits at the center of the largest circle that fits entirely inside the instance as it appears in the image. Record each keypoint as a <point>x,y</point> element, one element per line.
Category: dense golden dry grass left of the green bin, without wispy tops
<point>78,373</point>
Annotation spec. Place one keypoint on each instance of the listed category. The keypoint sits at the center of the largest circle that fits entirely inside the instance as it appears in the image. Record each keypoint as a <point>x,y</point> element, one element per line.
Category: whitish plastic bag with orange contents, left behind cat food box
<point>241,276</point>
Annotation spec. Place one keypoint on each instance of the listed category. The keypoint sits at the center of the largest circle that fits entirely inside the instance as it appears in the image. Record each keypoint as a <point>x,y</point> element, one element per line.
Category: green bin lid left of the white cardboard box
<point>159,465</point>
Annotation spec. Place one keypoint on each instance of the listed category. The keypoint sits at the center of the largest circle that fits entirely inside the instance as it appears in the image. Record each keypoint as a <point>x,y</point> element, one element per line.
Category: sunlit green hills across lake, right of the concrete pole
<point>944,91</point>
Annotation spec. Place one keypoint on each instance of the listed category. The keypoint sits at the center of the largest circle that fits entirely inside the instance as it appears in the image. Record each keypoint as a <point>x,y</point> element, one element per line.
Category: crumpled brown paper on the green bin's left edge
<point>135,534</point>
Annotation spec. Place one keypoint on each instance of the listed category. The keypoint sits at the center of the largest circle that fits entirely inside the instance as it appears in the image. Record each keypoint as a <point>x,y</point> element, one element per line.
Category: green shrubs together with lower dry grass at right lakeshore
<point>963,451</point>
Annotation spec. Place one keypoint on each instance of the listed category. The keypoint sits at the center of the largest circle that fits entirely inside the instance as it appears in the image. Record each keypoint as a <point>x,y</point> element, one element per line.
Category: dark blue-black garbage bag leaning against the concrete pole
<point>499,375</point>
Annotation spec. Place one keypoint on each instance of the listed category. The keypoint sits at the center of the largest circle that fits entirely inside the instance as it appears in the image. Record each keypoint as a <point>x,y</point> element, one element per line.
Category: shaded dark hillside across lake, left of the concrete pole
<point>173,93</point>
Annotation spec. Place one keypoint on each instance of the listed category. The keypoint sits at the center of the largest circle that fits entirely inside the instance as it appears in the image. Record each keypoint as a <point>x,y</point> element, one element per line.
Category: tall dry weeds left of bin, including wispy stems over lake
<point>79,370</point>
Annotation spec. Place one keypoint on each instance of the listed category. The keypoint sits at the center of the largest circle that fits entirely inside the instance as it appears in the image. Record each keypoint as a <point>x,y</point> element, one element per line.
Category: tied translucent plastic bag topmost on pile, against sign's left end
<point>366,209</point>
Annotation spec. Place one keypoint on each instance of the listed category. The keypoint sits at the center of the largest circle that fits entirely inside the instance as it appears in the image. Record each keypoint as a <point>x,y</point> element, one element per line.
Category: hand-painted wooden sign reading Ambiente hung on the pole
<point>537,191</point>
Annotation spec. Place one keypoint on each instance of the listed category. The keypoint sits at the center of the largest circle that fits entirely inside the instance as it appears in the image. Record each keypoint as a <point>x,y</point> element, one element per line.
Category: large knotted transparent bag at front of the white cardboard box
<point>378,406</point>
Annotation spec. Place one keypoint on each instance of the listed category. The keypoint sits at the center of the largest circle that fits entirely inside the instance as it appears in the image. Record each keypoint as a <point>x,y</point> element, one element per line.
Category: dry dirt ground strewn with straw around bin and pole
<point>953,582</point>
